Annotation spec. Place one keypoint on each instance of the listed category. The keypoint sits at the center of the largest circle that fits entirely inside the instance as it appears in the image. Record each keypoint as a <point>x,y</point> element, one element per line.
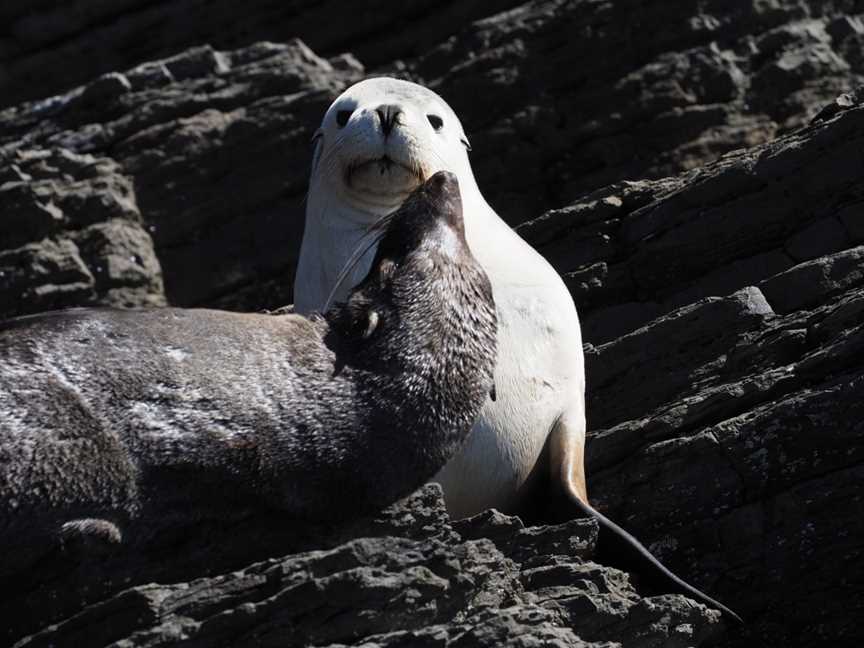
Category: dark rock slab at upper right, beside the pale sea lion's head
<point>578,95</point>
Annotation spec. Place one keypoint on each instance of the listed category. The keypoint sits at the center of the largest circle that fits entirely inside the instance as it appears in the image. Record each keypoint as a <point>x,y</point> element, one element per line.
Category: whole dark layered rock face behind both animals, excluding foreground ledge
<point>687,167</point>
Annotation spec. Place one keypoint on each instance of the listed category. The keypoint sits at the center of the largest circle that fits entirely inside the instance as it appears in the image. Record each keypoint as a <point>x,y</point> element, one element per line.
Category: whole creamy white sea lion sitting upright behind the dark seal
<point>377,141</point>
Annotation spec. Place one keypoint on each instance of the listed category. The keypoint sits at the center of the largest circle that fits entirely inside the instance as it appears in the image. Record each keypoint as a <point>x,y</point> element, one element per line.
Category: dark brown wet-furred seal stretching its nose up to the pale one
<point>109,416</point>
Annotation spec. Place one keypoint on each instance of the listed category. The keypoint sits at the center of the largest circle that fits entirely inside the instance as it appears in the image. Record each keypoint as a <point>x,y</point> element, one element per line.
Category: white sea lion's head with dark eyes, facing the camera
<point>381,139</point>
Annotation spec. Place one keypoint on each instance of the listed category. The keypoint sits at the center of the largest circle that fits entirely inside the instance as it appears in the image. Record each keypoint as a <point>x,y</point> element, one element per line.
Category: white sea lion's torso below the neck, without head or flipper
<point>539,378</point>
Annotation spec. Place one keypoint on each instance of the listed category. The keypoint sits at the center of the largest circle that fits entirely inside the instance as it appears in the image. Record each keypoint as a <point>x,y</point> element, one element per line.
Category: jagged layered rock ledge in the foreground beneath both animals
<point>407,578</point>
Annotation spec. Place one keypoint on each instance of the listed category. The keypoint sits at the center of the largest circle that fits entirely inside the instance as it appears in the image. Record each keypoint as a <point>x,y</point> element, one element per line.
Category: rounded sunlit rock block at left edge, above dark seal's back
<point>72,235</point>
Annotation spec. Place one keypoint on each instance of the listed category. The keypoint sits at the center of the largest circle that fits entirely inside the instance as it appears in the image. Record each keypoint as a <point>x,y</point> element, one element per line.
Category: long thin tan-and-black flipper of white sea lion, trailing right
<point>614,546</point>
